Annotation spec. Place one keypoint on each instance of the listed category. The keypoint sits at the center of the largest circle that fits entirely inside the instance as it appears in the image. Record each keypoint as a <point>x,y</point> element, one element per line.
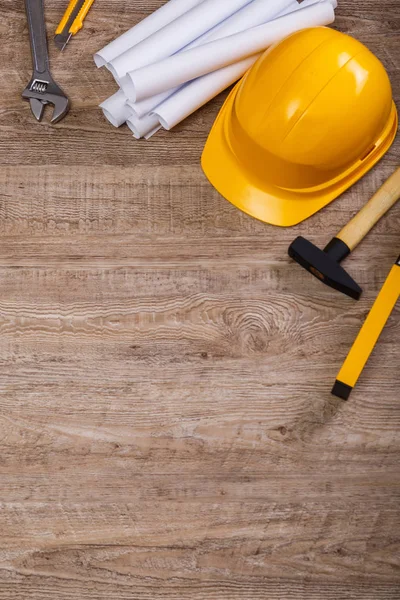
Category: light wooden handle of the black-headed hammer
<point>355,231</point>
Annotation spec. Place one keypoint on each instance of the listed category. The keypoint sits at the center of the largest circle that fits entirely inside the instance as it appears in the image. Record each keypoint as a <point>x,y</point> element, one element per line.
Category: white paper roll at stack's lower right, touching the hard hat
<point>194,95</point>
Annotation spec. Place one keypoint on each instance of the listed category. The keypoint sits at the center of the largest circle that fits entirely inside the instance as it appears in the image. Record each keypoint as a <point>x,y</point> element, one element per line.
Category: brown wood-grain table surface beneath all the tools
<point>166,424</point>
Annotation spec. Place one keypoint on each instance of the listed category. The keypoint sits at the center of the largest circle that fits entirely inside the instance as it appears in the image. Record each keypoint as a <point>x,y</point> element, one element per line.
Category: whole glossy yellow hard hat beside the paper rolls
<point>310,118</point>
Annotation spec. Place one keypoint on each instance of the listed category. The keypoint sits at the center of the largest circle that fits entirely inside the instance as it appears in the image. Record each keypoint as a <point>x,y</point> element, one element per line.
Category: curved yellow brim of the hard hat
<point>265,201</point>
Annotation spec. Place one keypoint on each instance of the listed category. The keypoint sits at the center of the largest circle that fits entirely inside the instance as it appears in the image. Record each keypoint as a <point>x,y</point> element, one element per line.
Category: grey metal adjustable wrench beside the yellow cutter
<point>42,89</point>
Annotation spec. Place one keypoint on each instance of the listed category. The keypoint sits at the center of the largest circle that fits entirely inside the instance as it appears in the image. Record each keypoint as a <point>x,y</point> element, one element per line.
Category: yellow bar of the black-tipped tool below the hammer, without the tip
<point>371,330</point>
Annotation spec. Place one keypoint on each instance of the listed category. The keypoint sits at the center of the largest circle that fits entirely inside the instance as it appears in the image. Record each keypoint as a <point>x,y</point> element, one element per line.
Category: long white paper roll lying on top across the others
<point>186,66</point>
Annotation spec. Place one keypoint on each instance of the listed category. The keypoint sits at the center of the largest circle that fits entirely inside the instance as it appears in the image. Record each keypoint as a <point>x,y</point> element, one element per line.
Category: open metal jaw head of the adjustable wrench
<point>43,91</point>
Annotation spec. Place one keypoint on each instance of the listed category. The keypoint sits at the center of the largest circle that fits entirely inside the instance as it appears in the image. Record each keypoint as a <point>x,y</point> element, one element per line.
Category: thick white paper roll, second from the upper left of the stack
<point>175,36</point>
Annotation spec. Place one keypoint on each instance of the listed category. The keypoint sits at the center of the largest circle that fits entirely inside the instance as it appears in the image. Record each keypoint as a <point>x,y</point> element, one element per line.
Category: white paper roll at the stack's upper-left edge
<point>157,20</point>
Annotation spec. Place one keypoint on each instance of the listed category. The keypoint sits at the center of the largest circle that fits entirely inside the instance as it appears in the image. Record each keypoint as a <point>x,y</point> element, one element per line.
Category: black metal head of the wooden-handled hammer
<point>324,267</point>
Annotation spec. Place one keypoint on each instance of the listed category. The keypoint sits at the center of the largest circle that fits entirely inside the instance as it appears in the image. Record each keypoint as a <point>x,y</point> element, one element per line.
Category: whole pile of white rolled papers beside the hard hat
<point>187,52</point>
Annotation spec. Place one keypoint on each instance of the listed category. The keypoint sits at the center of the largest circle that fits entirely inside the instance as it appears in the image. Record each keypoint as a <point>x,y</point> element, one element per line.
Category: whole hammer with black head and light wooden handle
<point>325,264</point>
